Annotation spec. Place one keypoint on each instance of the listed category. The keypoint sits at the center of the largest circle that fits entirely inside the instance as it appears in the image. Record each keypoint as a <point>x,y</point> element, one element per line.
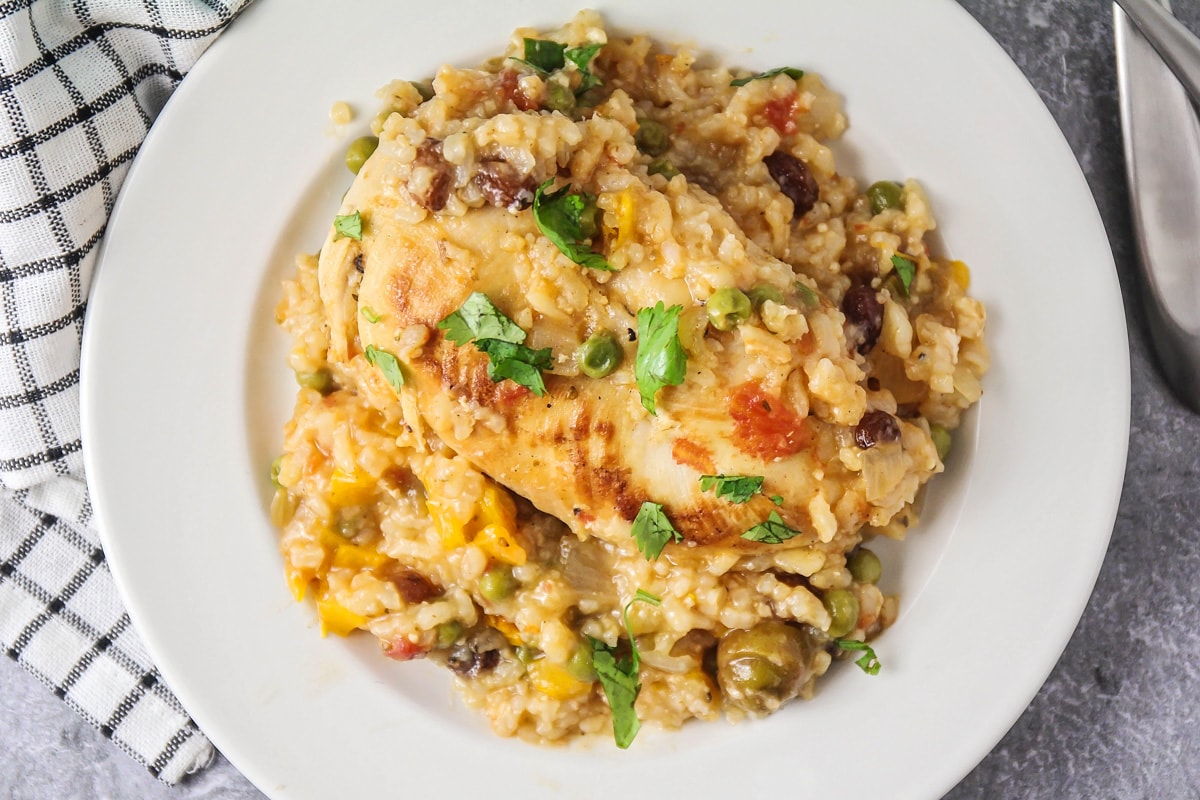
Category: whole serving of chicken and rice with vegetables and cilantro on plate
<point>609,378</point>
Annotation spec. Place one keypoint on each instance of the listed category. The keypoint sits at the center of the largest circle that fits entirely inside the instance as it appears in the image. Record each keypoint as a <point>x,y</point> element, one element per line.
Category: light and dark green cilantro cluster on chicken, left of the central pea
<point>481,322</point>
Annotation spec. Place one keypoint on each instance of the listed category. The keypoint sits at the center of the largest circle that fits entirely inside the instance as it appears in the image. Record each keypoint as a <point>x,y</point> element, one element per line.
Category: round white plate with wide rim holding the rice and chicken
<point>185,392</point>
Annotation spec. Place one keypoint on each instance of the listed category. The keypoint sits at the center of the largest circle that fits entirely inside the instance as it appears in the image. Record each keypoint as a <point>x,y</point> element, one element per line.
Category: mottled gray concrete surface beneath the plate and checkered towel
<point>1119,715</point>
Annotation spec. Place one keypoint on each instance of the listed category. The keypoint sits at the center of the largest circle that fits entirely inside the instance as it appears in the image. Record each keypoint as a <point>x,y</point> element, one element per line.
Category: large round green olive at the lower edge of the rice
<point>763,669</point>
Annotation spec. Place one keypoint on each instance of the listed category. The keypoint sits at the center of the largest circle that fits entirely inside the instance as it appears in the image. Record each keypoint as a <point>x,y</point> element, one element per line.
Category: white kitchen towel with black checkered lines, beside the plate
<point>81,82</point>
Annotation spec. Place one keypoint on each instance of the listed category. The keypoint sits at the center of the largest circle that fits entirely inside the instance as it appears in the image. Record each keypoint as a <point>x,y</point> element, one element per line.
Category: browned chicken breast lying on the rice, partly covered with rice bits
<point>779,396</point>
